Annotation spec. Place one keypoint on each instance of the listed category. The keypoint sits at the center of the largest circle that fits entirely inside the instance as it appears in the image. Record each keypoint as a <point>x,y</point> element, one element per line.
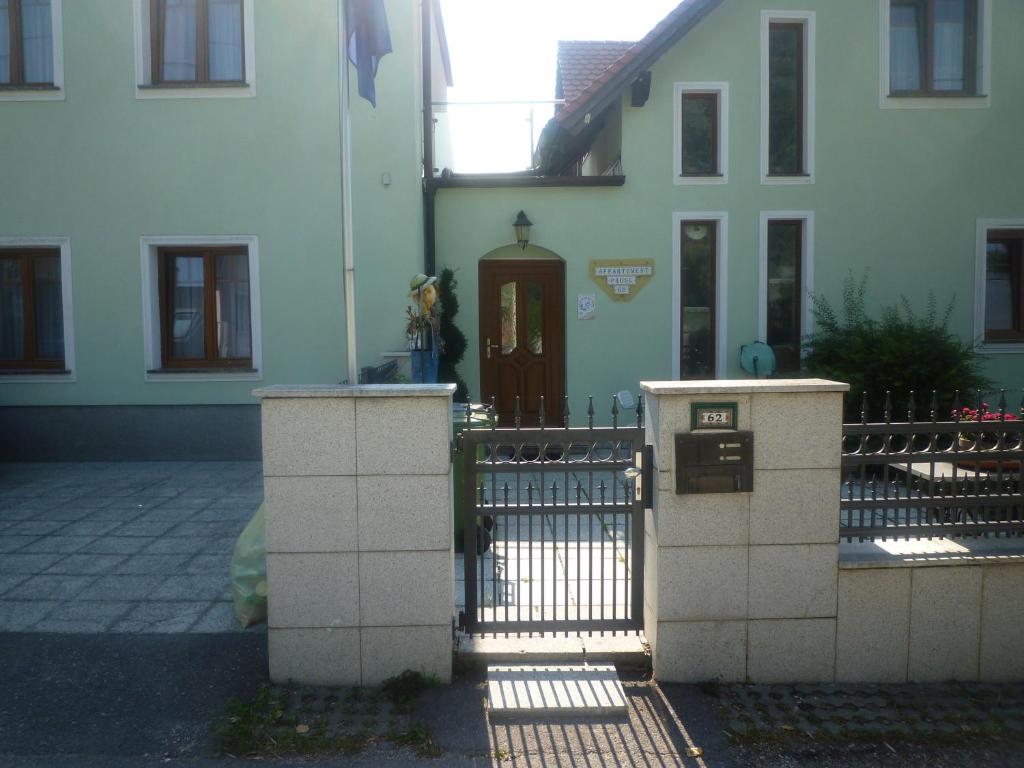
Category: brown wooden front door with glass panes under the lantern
<point>523,338</point>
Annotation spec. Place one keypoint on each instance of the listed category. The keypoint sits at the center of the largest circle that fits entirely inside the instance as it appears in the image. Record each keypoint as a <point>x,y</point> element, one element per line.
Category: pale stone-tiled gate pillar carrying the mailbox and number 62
<point>745,586</point>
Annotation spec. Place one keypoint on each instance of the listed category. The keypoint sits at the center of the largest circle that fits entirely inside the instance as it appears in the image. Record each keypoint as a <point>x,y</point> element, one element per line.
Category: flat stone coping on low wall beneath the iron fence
<point>928,553</point>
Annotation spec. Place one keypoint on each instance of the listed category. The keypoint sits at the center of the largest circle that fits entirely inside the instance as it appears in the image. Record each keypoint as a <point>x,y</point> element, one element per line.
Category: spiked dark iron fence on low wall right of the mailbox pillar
<point>956,475</point>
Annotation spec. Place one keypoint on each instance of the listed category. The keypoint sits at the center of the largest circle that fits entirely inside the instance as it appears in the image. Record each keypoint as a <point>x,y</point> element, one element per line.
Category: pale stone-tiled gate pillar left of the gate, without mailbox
<point>359,525</point>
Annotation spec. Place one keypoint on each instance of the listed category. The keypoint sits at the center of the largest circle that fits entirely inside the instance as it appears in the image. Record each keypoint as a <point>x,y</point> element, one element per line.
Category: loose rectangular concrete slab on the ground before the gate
<point>541,691</point>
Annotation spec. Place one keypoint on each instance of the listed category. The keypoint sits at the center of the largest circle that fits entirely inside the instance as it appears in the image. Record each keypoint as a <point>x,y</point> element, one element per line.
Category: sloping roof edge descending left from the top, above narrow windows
<point>618,76</point>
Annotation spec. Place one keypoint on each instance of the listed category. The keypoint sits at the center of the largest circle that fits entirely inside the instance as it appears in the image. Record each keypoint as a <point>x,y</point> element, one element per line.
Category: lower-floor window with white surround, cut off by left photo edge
<point>35,308</point>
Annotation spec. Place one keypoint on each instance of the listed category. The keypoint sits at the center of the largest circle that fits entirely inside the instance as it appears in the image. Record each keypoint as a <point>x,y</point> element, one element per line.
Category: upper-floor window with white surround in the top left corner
<point>31,50</point>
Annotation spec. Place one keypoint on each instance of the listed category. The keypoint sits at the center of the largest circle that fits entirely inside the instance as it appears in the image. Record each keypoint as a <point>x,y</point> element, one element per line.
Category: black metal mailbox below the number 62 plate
<point>720,462</point>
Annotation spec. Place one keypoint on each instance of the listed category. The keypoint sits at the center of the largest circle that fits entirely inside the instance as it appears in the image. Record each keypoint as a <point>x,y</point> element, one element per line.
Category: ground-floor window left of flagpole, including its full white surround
<point>202,308</point>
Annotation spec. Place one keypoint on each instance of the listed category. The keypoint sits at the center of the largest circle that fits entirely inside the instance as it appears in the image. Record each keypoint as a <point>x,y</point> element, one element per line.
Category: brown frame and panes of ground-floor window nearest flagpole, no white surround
<point>205,309</point>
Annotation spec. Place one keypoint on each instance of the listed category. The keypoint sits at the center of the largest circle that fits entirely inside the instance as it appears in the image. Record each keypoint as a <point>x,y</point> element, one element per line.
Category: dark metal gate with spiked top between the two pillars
<point>553,531</point>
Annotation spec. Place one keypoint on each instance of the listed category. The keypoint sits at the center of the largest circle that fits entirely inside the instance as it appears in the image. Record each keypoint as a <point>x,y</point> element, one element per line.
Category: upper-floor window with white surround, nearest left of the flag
<point>194,49</point>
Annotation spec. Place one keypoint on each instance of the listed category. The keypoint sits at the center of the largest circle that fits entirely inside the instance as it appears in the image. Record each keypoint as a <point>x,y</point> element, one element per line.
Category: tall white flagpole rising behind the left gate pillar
<point>348,244</point>
